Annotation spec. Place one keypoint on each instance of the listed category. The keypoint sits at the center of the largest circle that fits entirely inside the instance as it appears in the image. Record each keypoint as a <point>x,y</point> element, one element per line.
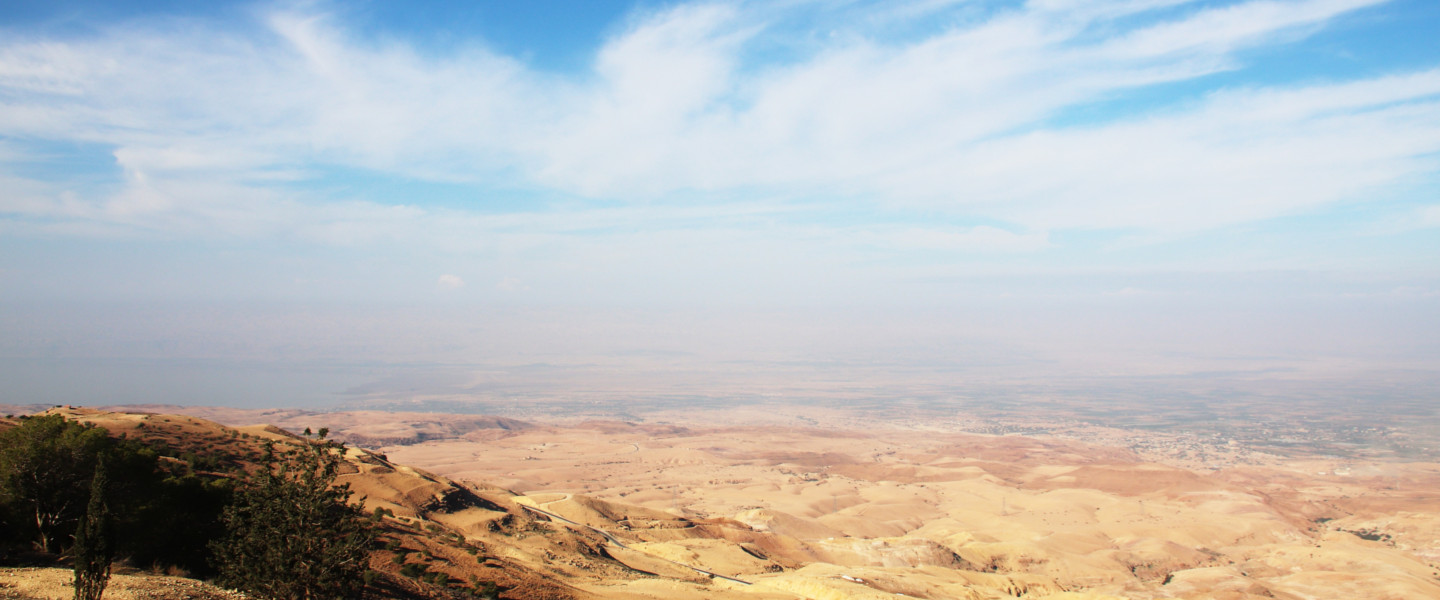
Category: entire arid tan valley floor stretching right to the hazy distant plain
<point>798,503</point>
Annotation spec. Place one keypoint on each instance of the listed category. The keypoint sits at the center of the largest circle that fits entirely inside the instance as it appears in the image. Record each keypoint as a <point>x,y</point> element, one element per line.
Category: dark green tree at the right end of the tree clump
<point>292,532</point>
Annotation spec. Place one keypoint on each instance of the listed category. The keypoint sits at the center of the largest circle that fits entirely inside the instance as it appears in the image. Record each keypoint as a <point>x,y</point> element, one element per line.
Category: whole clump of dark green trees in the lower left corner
<point>279,530</point>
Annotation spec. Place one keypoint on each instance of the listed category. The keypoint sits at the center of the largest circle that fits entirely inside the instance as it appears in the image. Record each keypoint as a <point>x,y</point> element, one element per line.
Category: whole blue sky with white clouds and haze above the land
<point>201,199</point>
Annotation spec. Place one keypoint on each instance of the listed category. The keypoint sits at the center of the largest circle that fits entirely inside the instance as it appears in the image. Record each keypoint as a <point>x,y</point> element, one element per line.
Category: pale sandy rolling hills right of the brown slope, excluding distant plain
<point>960,516</point>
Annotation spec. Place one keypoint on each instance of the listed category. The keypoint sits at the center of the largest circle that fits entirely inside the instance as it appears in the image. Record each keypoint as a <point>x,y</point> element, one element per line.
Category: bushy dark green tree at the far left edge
<point>47,464</point>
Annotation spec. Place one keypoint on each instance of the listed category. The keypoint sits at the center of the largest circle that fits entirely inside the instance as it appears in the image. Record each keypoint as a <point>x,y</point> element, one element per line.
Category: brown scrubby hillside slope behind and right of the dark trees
<point>473,536</point>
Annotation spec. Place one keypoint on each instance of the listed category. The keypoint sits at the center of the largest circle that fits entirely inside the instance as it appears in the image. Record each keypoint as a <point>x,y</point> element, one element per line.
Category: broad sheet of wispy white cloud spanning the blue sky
<point>210,124</point>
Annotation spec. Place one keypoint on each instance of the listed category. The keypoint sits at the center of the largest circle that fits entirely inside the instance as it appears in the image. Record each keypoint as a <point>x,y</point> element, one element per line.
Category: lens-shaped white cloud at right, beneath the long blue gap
<point>1239,158</point>
